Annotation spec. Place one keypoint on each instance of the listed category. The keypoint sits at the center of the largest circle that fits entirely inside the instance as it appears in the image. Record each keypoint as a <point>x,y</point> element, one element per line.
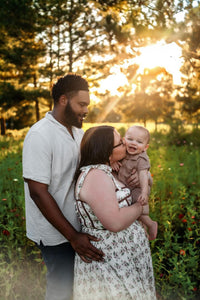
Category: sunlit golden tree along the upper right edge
<point>189,39</point>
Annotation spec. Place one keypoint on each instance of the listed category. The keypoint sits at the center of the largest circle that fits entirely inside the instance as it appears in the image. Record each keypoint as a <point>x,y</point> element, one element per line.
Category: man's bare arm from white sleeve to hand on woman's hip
<point>49,208</point>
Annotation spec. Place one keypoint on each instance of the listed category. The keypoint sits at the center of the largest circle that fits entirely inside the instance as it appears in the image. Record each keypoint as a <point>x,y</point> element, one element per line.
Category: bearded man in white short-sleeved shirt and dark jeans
<point>50,158</point>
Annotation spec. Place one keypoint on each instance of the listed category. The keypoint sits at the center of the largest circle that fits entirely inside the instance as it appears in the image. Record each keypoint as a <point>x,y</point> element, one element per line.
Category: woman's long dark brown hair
<point>96,147</point>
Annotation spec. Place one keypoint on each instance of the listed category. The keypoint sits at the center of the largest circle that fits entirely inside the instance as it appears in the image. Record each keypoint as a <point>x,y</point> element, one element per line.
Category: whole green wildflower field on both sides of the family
<point>174,203</point>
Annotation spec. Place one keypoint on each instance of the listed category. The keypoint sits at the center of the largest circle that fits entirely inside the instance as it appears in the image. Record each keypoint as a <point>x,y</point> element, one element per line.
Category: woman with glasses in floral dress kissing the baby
<point>105,210</point>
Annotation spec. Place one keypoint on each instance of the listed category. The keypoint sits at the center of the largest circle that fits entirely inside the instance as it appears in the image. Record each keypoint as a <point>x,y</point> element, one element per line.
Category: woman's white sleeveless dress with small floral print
<point>126,272</point>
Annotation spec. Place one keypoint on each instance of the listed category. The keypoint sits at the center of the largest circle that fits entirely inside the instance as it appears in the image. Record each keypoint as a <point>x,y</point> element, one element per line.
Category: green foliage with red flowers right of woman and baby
<point>174,202</point>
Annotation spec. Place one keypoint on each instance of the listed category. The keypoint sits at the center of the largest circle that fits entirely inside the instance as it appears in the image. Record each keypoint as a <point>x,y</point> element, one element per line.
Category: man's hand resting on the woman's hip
<point>87,252</point>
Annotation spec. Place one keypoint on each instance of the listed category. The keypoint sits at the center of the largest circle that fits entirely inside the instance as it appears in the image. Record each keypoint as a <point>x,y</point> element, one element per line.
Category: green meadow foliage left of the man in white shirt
<point>20,261</point>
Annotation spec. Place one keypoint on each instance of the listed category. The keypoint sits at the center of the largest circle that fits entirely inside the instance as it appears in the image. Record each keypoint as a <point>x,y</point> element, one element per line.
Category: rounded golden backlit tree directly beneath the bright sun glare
<point>152,98</point>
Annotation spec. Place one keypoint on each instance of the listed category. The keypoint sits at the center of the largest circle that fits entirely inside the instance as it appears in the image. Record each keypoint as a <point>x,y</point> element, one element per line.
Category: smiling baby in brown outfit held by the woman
<point>137,142</point>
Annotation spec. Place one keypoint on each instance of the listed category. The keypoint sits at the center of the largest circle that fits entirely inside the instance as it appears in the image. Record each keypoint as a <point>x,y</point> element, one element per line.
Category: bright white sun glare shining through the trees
<point>156,55</point>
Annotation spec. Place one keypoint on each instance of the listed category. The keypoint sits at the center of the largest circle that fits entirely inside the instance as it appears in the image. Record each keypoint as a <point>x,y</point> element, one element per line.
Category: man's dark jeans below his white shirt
<point>59,261</point>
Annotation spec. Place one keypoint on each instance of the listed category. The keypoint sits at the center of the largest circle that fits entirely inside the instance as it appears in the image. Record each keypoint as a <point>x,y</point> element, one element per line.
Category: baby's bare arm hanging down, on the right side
<point>144,180</point>
